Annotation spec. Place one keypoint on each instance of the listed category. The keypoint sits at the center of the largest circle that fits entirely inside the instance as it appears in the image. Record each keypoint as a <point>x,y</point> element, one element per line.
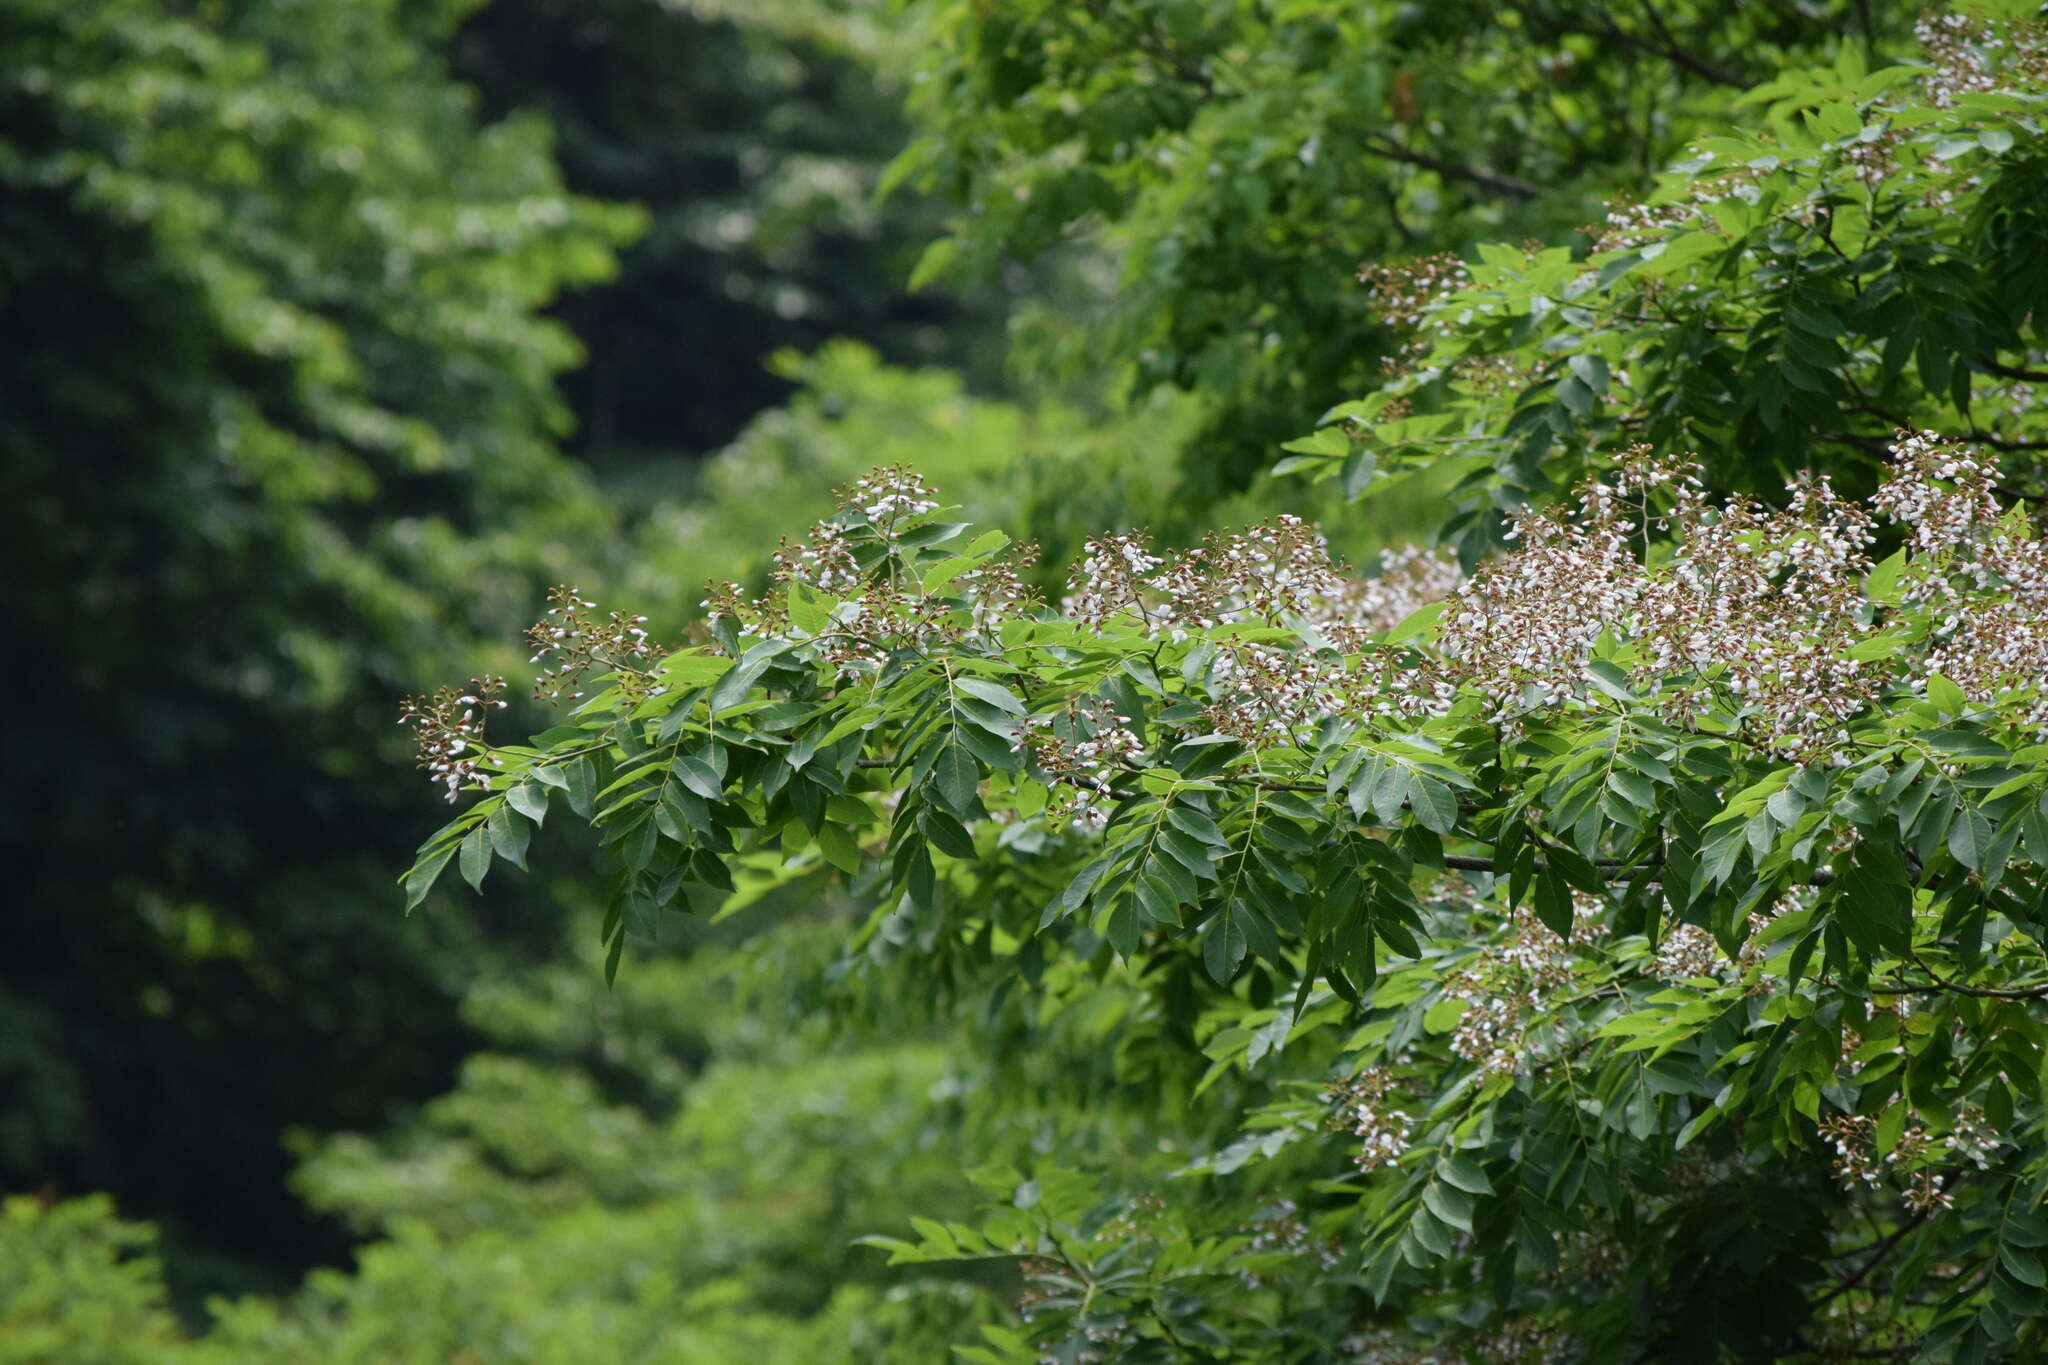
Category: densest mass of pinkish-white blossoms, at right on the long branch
<point>1756,609</point>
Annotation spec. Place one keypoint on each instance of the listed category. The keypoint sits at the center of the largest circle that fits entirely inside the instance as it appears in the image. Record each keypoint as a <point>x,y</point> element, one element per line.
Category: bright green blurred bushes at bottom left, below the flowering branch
<point>626,1176</point>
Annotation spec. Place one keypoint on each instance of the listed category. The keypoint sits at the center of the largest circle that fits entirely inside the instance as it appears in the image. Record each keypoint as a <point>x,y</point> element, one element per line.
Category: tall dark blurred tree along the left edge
<point>280,431</point>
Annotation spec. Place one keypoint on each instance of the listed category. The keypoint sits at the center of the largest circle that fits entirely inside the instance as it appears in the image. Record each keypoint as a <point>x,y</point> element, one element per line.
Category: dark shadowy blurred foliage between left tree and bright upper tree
<point>753,136</point>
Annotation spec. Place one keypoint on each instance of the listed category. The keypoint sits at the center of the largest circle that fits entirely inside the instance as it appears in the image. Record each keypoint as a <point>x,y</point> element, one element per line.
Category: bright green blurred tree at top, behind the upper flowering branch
<point>1244,159</point>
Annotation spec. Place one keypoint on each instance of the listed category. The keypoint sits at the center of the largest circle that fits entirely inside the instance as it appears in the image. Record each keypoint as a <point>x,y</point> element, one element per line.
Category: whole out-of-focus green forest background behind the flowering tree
<point>339,331</point>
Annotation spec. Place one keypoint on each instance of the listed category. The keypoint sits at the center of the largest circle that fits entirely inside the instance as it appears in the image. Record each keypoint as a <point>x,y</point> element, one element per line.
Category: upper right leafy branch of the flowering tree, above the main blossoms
<point>1871,253</point>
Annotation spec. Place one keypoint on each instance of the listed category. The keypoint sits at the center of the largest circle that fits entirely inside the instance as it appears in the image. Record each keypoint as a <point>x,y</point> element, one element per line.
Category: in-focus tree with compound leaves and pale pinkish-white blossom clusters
<point>1627,946</point>
